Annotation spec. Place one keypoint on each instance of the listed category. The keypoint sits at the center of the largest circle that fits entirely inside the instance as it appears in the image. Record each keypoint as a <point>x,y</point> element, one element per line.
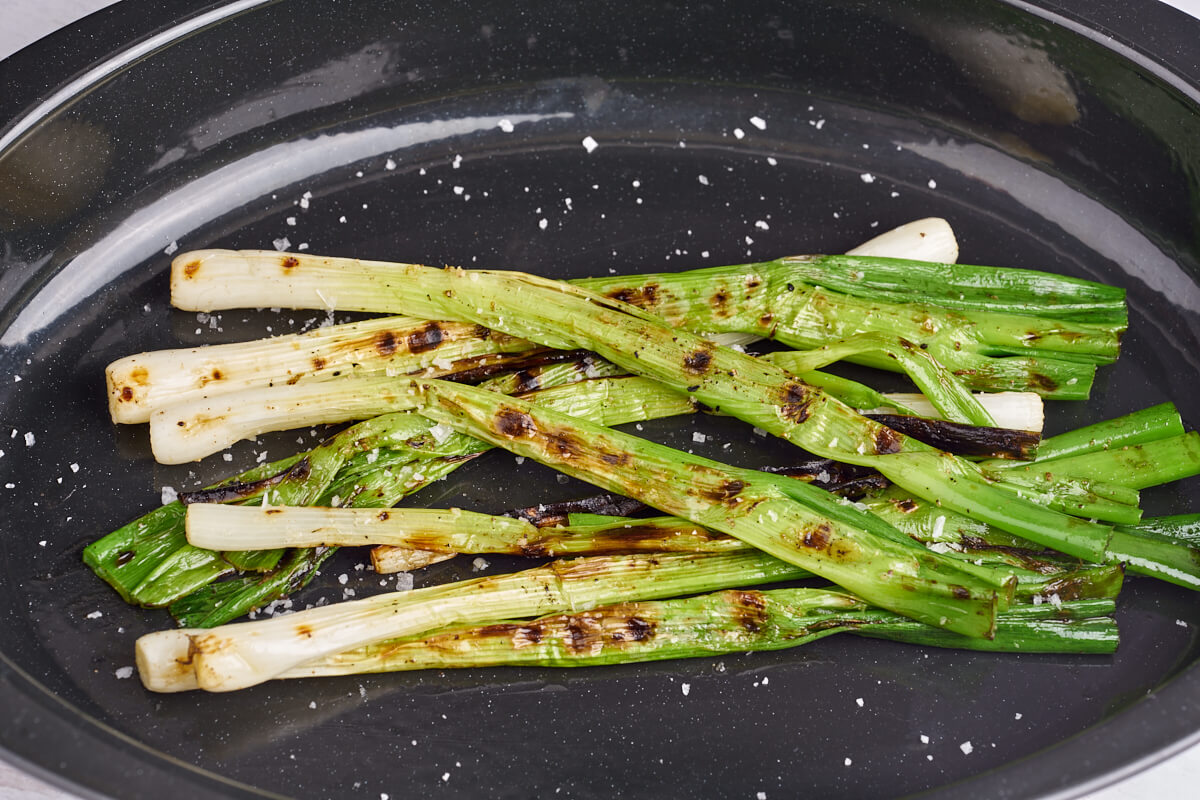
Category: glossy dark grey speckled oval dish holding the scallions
<point>1061,136</point>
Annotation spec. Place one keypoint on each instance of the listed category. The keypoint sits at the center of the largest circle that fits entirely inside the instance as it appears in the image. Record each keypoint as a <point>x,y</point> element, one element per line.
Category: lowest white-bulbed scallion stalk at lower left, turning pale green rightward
<point>244,654</point>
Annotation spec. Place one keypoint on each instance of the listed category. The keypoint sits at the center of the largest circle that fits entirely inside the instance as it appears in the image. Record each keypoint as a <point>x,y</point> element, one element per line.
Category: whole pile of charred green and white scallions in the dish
<point>939,518</point>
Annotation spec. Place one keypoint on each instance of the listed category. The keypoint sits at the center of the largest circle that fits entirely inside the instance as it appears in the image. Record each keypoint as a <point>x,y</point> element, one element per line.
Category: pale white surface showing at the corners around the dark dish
<point>27,21</point>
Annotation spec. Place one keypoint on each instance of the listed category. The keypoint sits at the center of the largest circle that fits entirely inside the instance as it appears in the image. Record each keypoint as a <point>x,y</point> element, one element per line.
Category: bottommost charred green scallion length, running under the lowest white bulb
<point>710,625</point>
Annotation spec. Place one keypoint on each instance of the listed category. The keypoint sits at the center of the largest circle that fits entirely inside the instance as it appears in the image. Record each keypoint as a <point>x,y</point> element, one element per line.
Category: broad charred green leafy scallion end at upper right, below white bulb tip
<point>989,351</point>
